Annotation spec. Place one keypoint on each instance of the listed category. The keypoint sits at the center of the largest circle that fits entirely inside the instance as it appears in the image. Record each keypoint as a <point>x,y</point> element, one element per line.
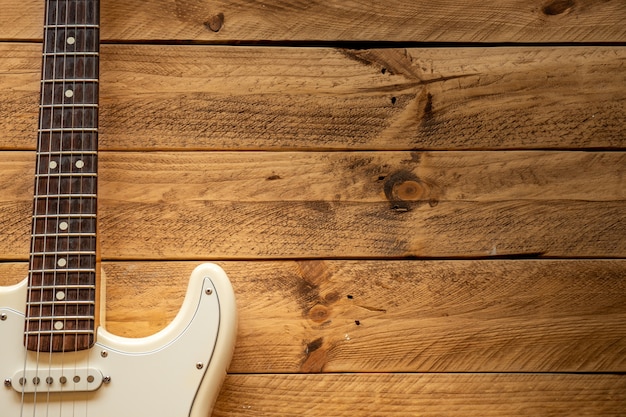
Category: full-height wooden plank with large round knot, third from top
<point>434,204</point>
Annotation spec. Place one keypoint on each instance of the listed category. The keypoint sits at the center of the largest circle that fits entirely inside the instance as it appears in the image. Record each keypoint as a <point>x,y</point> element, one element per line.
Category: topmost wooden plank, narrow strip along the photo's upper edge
<point>359,20</point>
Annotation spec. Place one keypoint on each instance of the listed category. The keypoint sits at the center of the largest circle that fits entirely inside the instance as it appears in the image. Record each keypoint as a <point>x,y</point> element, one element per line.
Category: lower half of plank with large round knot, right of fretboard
<point>235,230</point>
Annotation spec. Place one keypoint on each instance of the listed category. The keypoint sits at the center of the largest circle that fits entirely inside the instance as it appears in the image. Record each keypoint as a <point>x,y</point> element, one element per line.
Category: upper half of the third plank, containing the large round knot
<point>342,176</point>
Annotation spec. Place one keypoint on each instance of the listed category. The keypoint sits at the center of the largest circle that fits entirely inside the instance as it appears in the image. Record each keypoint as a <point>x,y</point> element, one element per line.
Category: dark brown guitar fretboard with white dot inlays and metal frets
<point>62,276</point>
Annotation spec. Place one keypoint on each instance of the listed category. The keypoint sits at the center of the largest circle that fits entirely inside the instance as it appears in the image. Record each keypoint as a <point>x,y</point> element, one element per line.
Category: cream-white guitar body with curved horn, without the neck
<point>174,373</point>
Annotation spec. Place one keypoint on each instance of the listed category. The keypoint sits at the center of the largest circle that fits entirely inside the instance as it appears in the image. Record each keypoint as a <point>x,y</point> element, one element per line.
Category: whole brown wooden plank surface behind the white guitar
<point>420,203</point>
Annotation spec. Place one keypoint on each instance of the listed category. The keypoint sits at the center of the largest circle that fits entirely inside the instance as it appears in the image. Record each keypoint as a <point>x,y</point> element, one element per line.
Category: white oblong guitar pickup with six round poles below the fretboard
<point>57,380</point>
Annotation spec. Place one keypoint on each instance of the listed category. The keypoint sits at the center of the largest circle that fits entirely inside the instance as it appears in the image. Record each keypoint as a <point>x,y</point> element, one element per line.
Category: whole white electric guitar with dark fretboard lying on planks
<point>56,358</point>
